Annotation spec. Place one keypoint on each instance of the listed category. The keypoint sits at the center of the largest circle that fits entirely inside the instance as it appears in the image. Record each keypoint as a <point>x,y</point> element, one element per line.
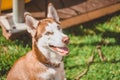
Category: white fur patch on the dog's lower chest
<point>53,73</point>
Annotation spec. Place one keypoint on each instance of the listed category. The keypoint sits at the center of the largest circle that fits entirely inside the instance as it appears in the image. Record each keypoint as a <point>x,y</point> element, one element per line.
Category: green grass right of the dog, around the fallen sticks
<point>84,40</point>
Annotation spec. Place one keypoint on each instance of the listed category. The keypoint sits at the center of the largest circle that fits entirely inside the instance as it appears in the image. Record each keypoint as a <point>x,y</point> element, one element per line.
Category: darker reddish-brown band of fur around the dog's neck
<point>42,58</point>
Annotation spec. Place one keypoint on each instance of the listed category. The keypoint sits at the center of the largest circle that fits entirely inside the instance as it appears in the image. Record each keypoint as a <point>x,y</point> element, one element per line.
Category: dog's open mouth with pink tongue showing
<point>62,50</point>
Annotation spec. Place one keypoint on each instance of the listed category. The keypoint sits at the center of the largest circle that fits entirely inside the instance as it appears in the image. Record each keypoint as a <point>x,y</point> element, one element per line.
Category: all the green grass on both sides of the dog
<point>83,40</point>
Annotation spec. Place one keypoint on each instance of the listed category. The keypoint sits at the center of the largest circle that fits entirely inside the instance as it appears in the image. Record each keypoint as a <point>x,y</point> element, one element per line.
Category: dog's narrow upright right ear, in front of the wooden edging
<point>52,13</point>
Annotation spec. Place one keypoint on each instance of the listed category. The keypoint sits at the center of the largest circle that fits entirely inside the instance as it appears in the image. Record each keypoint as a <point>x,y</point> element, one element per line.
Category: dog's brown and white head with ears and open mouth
<point>47,33</point>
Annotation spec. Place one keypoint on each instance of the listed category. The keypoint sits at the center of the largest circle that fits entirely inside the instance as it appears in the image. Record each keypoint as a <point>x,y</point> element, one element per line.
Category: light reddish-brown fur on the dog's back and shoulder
<point>29,66</point>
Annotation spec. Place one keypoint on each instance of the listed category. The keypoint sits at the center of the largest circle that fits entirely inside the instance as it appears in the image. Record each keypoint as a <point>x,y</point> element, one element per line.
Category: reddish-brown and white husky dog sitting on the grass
<point>45,60</point>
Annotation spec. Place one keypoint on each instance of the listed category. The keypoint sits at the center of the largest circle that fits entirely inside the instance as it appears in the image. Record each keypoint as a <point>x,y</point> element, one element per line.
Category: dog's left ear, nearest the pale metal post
<point>31,24</point>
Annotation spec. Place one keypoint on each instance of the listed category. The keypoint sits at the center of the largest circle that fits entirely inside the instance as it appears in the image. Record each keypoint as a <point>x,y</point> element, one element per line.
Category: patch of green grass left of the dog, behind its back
<point>9,52</point>
